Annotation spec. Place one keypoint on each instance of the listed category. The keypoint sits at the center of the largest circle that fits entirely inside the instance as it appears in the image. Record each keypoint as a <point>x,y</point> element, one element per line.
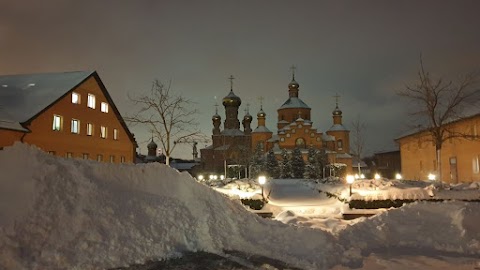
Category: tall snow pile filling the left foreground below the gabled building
<point>60,213</point>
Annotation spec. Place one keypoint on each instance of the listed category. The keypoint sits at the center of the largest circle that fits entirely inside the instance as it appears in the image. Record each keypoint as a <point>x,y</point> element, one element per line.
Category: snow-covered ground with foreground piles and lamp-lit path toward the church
<point>60,213</point>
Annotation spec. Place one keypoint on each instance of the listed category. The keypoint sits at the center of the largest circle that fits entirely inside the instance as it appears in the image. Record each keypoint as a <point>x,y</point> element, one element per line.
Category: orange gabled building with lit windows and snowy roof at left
<point>67,114</point>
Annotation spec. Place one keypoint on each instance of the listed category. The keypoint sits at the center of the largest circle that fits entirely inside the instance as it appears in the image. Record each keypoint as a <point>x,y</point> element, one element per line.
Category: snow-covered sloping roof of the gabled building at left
<point>24,96</point>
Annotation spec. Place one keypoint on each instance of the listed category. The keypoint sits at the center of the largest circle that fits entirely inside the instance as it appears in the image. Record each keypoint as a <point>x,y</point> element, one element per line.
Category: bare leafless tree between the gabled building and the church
<point>169,117</point>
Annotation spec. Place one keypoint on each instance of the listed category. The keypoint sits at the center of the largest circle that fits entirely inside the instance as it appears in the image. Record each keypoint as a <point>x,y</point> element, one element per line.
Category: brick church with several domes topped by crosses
<point>232,147</point>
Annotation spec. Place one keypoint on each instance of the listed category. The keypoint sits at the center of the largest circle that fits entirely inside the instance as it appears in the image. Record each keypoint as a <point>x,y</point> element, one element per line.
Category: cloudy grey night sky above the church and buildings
<point>362,50</point>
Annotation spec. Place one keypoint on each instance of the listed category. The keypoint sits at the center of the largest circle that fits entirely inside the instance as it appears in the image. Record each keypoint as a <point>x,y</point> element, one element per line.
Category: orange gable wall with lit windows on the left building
<point>64,142</point>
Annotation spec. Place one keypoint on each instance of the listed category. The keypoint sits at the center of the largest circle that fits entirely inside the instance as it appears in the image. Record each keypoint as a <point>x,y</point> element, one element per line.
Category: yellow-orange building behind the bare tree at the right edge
<point>459,156</point>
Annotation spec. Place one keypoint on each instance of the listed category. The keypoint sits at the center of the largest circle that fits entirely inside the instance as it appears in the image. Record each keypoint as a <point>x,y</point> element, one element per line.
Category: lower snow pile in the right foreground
<point>434,227</point>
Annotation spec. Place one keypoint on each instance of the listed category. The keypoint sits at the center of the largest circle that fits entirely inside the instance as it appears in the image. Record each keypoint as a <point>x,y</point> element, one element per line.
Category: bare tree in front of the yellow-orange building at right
<point>439,102</point>
